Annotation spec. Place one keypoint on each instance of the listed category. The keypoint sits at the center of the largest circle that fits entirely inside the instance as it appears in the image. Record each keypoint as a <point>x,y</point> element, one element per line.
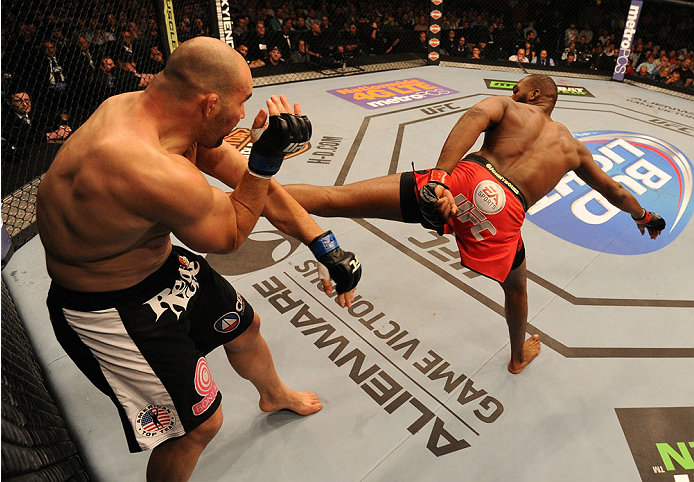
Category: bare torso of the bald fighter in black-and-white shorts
<point>92,204</point>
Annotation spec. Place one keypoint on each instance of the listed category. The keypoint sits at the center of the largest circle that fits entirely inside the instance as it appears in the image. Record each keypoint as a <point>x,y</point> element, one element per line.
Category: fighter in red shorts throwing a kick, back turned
<point>524,155</point>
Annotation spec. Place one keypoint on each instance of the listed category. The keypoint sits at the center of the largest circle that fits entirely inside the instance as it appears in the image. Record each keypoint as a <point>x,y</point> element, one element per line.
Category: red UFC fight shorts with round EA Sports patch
<point>491,211</point>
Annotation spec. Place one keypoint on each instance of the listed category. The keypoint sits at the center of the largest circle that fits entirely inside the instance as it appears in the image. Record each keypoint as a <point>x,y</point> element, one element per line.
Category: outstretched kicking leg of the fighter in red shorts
<point>373,198</point>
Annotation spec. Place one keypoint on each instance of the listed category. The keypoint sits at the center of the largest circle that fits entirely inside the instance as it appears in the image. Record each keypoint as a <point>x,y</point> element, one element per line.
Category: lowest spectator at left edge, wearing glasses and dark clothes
<point>20,127</point>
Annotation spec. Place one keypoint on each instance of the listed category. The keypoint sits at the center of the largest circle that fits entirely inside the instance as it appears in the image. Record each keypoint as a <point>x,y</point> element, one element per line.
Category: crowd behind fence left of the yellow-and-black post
<point>60,63</point>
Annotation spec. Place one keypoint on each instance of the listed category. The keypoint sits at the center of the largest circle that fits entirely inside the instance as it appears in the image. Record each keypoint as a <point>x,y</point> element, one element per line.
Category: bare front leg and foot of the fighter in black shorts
<point>250,356</point>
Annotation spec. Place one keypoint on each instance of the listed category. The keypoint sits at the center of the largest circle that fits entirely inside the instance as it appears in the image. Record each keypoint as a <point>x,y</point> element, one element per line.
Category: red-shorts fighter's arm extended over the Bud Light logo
<point>616,194</point>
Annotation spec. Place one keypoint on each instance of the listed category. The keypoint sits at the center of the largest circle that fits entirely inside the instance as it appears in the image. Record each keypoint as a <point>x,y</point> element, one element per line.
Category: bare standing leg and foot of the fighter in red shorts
<point>516,309</point>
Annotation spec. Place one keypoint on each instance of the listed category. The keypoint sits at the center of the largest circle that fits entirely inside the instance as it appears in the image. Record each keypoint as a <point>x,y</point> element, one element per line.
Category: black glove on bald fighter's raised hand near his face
<point>285,133</point>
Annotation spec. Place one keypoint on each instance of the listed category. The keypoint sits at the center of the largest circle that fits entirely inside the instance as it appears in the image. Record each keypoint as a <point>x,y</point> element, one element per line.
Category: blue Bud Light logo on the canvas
<point>657,173</point>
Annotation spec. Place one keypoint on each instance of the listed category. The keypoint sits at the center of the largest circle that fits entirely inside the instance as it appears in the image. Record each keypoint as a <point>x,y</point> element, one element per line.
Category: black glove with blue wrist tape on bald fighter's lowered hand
<point>343,266</point>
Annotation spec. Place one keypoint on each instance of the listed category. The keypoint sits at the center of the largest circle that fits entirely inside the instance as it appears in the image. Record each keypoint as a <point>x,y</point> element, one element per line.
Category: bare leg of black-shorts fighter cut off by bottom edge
<point>175,459</point>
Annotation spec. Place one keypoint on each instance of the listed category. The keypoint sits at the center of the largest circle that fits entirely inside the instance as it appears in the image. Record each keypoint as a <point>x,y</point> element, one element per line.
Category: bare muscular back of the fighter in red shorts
<point>530,149</point>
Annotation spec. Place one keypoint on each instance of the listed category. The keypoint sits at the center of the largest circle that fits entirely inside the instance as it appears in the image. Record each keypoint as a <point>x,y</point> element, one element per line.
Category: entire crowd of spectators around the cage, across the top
<point>66,59</point>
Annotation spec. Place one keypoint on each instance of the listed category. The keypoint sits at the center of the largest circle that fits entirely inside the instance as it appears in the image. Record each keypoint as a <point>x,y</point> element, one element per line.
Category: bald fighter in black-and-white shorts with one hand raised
<point>138,315</point>
